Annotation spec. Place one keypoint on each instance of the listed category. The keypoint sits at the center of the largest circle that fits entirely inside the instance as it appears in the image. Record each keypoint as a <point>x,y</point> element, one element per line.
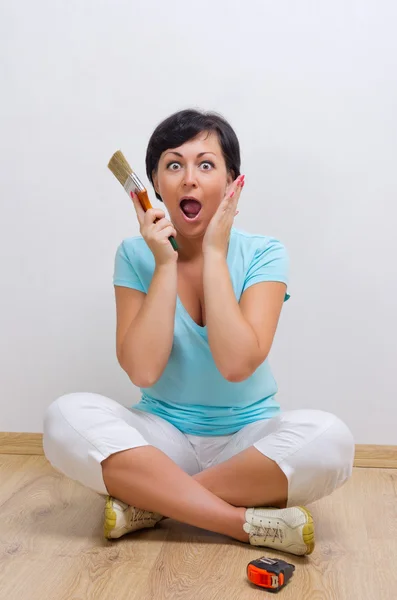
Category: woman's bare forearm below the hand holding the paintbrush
<point>148,342</point>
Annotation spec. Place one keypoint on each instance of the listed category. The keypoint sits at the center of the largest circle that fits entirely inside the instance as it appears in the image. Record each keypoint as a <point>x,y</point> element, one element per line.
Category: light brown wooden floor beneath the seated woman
<point>51,546</point>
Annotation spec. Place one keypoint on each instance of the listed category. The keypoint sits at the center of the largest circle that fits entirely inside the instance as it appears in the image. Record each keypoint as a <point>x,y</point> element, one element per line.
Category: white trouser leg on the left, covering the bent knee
<point>83,429</point>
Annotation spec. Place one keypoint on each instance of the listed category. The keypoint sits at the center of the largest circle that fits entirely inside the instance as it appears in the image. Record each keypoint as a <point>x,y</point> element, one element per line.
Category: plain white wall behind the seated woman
<point>311,89</point>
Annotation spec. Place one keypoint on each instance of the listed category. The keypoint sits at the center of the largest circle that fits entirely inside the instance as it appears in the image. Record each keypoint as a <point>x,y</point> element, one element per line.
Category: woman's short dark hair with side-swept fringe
<point>185,125</point>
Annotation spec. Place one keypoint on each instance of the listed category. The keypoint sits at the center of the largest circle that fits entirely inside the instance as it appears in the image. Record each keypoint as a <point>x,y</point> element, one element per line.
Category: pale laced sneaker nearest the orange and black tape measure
<point>285,529</point>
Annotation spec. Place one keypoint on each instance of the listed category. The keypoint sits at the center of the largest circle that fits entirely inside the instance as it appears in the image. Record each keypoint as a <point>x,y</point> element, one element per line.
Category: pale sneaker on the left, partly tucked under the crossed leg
<point>120,518</point>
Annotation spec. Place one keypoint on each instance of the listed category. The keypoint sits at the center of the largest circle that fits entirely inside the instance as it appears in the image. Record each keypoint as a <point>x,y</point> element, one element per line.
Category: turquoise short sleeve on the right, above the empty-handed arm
<point>269,263</point>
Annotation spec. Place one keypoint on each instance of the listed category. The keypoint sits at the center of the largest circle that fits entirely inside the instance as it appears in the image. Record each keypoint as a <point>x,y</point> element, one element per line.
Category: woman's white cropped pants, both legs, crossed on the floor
<point>314,449</point>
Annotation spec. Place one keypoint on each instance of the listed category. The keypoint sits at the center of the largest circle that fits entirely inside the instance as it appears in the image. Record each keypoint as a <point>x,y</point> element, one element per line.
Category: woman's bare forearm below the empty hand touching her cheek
<point>231,338</point>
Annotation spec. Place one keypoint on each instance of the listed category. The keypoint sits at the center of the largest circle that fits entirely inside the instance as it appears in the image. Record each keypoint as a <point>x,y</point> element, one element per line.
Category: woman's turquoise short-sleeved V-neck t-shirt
<point>191,393</point>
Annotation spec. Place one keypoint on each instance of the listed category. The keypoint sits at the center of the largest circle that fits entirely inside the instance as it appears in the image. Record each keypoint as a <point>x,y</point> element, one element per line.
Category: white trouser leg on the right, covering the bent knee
<point>314,449</point>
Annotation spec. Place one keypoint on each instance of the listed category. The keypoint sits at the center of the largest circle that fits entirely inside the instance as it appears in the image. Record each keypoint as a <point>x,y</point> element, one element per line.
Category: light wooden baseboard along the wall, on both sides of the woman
<point>367,455</point>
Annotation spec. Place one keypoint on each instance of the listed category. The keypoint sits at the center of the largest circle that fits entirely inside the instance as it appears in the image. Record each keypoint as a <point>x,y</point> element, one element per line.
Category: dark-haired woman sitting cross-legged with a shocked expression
<point>208,444</point>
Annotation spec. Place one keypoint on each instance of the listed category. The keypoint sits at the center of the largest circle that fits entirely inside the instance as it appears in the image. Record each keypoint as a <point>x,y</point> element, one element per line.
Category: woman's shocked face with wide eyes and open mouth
<point>192,180</point>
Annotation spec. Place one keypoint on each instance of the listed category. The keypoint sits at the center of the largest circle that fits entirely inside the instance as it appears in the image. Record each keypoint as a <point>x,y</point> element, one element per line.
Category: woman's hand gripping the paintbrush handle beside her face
<point>155,230</point>
